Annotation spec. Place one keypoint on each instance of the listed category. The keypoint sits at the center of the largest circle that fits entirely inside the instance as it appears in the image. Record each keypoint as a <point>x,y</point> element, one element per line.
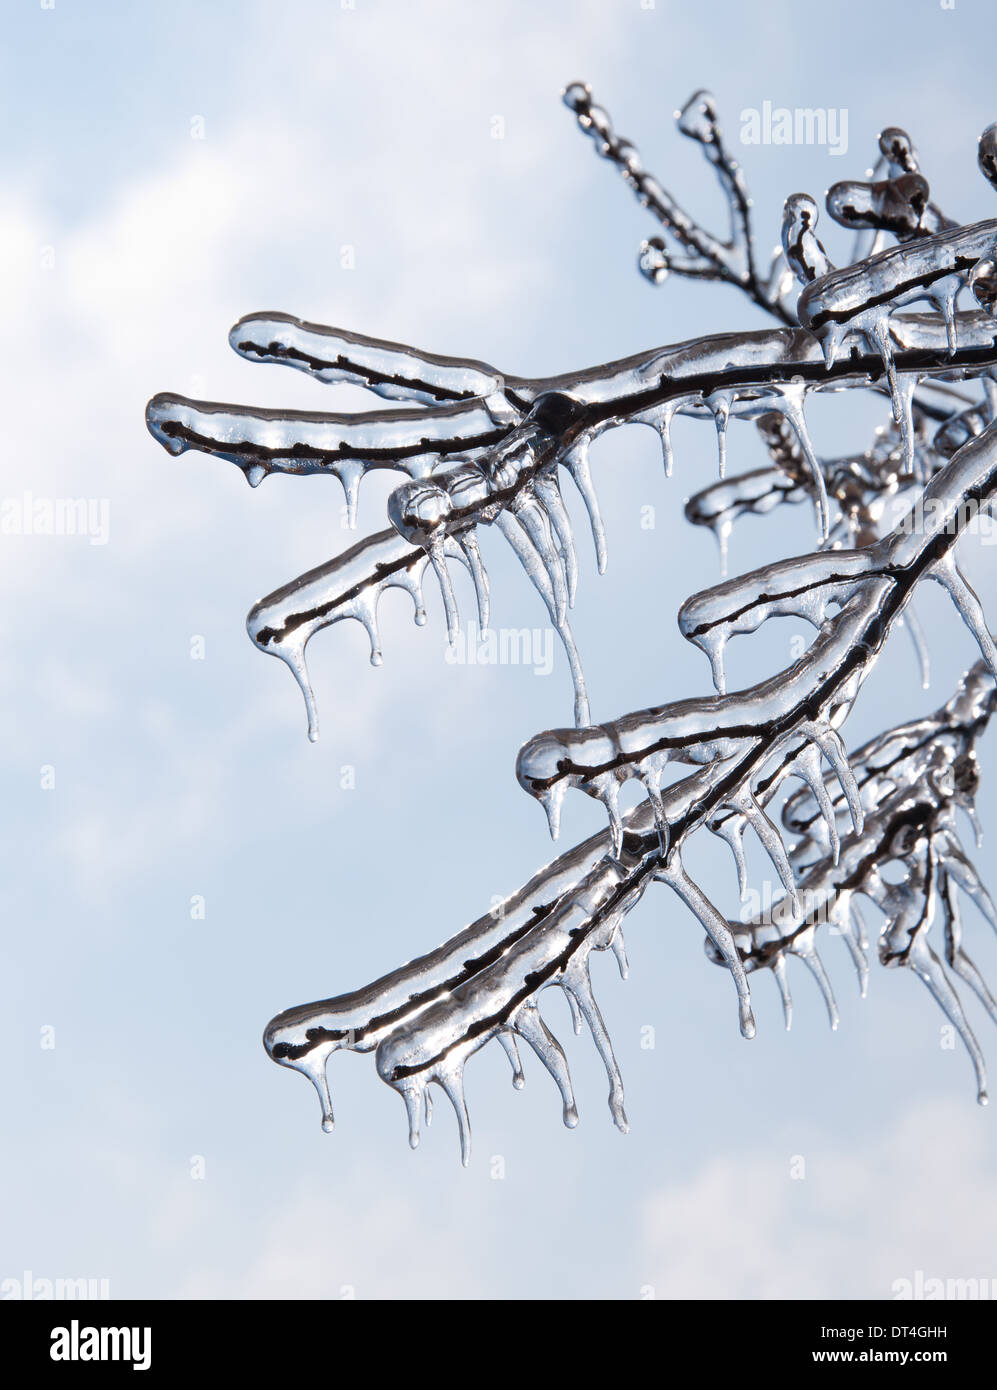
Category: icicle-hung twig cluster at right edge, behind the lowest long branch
<point>911,783</point>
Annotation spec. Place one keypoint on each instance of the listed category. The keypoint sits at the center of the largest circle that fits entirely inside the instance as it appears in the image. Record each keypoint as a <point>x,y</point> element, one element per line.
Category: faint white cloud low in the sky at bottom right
<point>918,1197</point>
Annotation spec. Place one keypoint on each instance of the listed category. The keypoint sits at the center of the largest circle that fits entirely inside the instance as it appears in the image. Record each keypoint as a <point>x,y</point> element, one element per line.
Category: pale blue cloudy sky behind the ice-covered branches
<point>127,251</point>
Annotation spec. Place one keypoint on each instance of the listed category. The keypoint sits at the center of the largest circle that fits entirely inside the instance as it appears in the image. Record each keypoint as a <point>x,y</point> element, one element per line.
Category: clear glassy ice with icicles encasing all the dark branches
<point>478,447</point>
